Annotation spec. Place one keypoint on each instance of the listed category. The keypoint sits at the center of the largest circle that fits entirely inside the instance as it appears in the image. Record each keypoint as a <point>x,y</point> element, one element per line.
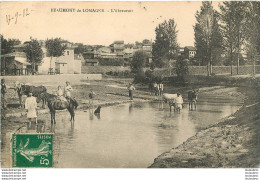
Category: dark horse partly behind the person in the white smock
<point>38,91</point>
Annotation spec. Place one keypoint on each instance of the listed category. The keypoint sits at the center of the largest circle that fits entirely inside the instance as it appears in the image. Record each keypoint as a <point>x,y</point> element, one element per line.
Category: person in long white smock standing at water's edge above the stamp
<point>31,106</point>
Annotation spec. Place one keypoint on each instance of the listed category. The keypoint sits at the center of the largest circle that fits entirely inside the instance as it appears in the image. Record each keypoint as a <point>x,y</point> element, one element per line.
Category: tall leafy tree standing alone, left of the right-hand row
<point>165,46</point>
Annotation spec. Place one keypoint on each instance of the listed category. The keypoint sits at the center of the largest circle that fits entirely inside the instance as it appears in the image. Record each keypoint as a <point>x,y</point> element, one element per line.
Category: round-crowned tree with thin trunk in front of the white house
<point>55,48</point>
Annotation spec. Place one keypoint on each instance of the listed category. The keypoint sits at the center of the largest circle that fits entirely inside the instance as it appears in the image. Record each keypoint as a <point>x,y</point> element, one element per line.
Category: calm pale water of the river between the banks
<point>129,135</point>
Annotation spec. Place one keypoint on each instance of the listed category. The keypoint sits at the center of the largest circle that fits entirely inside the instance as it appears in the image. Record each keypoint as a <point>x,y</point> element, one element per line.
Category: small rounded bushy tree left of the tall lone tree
<point>138,62</point>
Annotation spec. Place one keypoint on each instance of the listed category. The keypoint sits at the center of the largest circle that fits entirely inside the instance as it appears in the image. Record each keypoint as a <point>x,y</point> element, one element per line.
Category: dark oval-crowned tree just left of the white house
<point>34,53</point>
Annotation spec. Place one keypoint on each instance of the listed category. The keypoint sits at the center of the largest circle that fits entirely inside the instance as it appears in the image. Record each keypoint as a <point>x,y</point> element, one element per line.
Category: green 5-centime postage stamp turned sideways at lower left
<point>32,150</point>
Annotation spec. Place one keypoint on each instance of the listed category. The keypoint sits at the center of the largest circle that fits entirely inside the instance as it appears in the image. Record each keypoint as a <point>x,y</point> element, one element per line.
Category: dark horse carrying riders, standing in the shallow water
<point>54,103</point>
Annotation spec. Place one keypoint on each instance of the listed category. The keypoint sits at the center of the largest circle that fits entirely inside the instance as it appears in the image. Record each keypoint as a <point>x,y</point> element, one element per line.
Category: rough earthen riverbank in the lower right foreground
<point>233,143</point>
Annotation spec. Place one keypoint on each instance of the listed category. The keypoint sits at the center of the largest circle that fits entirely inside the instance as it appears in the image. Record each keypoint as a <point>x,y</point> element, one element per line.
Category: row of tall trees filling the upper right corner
<point>232,31</point>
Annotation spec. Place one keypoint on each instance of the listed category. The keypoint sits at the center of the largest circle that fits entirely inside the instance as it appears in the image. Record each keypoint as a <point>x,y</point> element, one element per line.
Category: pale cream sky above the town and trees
<point>23,20</point>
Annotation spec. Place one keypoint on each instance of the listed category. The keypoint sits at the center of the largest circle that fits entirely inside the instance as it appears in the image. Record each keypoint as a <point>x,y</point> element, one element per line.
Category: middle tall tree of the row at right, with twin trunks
<point>233,19</point>
